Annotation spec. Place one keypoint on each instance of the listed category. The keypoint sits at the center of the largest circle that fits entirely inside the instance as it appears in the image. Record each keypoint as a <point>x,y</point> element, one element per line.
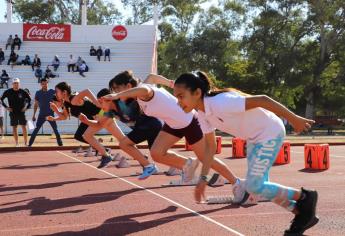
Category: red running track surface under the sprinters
<point>59,193</point>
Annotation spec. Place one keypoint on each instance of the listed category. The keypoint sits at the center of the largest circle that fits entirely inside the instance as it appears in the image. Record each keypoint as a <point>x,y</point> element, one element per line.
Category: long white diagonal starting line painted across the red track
<point>158,195</point>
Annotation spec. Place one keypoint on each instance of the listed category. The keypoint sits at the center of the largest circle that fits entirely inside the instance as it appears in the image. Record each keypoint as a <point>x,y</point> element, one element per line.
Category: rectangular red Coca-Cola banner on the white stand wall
<point>47,32</point>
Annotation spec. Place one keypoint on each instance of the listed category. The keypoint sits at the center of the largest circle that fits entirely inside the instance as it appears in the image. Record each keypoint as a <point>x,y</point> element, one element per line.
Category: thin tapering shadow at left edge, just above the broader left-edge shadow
<point>49,185</point>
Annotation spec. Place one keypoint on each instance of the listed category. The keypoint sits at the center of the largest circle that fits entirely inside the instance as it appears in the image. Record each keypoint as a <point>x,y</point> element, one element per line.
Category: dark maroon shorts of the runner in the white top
<point>192,132</point>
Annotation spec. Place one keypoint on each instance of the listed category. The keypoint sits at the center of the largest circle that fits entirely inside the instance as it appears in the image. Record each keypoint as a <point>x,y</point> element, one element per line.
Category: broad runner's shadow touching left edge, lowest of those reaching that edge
<point>46,206</point>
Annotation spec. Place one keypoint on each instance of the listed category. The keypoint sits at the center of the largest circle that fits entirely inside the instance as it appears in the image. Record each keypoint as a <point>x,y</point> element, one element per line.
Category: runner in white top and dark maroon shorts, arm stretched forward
<point>161,104</point>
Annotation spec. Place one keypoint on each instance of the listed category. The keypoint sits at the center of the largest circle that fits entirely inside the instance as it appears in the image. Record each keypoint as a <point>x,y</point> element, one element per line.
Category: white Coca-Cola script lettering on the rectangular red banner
<point>49,34</point>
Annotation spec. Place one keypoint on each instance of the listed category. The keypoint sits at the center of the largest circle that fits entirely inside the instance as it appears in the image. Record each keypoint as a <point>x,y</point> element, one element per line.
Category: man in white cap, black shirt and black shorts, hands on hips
<point>18,102</point>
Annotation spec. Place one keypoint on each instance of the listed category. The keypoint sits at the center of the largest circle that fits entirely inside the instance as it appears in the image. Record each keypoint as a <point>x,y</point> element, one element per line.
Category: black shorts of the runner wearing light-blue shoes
<point>147,129</point>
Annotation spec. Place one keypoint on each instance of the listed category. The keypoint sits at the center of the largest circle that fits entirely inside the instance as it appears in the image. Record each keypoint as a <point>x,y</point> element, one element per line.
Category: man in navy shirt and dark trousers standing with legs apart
<point>43,98</point>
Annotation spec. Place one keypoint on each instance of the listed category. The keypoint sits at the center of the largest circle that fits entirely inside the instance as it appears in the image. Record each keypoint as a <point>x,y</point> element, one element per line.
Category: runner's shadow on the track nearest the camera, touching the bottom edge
<point>124,225</point>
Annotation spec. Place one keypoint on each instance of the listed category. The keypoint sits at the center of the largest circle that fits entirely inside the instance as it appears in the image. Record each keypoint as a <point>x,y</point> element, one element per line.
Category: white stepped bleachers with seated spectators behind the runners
<point>133,53</point>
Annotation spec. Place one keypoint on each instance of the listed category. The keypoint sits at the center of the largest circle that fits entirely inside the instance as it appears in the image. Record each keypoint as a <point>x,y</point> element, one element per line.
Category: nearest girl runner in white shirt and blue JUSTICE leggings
<point>252,118</point>
